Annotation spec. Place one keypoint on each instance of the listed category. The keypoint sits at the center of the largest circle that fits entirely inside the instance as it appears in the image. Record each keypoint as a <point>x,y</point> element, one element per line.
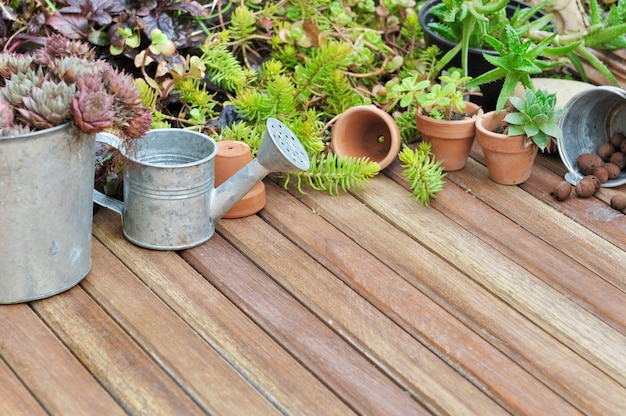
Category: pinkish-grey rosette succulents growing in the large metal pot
<point>62,82</point>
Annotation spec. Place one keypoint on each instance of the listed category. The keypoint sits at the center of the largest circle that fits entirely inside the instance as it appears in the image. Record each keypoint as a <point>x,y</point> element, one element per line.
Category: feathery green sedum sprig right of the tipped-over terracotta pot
<point>424,173</point>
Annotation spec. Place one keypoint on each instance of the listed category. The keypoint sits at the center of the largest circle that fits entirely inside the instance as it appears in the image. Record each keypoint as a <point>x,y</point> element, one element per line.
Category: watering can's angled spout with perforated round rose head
<point>280,151</point>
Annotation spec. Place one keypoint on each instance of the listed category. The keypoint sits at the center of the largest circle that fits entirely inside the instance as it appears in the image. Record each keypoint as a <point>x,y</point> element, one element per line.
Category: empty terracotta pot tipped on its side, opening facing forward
<point>366,131</point>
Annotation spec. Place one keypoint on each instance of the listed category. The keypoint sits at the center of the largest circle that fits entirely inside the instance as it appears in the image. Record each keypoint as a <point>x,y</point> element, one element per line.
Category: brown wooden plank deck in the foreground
<point>494,300</point>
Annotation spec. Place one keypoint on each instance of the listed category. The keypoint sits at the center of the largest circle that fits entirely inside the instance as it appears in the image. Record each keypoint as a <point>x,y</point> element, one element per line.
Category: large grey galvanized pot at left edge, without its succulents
<point>46,212</point>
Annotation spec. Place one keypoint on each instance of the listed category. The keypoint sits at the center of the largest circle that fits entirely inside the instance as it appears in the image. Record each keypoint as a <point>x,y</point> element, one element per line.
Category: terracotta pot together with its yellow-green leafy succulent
<point>443,117</point>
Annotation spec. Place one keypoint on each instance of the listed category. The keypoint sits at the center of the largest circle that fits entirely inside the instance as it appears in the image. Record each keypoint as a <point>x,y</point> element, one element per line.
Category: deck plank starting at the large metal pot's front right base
<point>119,364</point>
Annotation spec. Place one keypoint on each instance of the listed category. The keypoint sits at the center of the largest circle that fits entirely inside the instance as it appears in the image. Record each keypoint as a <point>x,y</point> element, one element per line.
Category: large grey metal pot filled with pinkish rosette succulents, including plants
<point>52,103</point>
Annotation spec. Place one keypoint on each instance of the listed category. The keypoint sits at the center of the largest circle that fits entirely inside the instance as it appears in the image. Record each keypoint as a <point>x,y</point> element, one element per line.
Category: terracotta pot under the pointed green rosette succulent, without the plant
<point>509,159</point>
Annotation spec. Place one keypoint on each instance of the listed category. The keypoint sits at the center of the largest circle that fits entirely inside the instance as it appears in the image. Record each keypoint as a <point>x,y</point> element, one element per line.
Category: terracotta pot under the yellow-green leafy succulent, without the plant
<point>451,140</point>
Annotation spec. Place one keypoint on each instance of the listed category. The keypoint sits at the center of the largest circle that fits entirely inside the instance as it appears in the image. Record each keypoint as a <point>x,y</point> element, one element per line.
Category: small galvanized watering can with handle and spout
<point>170,202</point>
